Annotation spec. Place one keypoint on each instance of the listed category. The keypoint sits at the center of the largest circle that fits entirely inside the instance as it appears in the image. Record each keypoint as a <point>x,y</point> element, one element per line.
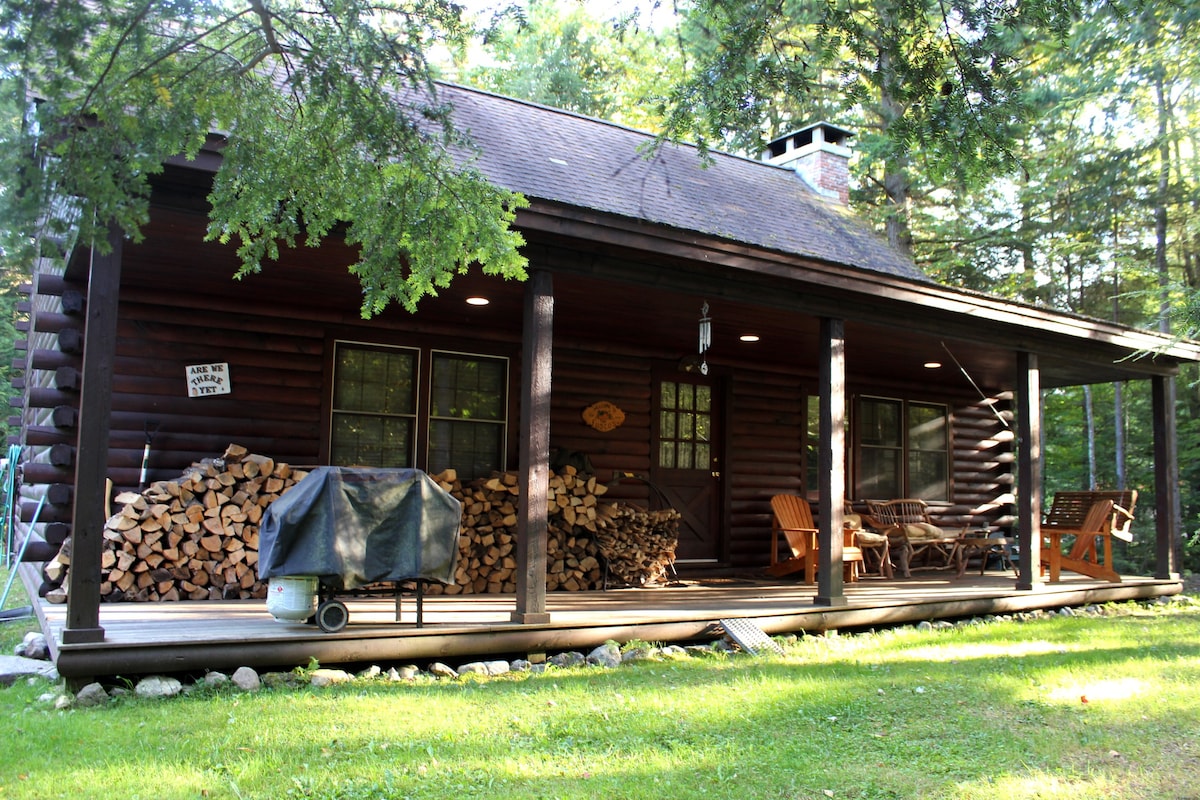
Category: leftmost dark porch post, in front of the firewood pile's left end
<point>92,452</point>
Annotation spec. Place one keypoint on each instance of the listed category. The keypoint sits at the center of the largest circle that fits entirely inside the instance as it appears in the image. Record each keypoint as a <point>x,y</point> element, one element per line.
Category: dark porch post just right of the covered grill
<point>535,480</point>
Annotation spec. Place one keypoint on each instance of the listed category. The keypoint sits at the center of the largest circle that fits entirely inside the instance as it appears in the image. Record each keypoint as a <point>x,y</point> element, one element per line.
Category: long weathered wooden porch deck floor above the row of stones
<point>142,639</point>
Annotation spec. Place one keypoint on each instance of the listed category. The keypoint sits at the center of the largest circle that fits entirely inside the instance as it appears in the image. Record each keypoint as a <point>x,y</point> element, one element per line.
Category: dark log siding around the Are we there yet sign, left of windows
<point>274,408</point>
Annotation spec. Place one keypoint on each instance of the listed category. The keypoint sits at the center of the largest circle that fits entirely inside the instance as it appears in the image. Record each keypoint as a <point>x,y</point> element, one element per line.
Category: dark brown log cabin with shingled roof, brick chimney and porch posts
<point>698,336</point>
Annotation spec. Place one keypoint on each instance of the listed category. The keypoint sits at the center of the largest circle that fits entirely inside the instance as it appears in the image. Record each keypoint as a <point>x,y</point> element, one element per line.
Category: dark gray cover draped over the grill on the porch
<point>351,527</point>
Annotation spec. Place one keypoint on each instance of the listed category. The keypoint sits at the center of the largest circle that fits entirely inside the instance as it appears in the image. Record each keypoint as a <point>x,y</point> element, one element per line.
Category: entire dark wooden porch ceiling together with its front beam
<point>619,300</point>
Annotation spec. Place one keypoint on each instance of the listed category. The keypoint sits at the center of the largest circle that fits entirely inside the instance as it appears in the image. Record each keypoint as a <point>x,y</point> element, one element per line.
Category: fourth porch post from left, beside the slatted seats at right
<point>1029,468</point>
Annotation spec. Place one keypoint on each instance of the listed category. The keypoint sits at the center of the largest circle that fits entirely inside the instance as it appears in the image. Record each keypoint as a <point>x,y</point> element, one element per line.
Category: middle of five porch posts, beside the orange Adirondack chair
<point>832,488</point>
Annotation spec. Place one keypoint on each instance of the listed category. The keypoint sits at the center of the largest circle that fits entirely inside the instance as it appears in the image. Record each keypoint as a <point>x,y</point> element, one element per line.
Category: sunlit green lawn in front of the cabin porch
<point>1081,708</point>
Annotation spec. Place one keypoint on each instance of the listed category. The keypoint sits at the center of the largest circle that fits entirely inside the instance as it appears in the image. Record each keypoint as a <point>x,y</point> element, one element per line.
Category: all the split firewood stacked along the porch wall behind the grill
<point>196,538</point>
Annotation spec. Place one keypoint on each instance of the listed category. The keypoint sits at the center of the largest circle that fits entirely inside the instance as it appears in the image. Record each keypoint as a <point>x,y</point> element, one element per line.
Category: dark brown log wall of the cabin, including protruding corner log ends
<point>277,336</point>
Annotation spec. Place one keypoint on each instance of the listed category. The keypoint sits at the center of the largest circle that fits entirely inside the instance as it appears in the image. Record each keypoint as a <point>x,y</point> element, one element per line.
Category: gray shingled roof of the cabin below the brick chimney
<point>551,155</point>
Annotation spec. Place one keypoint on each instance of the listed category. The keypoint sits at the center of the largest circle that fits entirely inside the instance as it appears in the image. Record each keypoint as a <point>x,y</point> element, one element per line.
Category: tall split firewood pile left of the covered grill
<point>195,538</point>
